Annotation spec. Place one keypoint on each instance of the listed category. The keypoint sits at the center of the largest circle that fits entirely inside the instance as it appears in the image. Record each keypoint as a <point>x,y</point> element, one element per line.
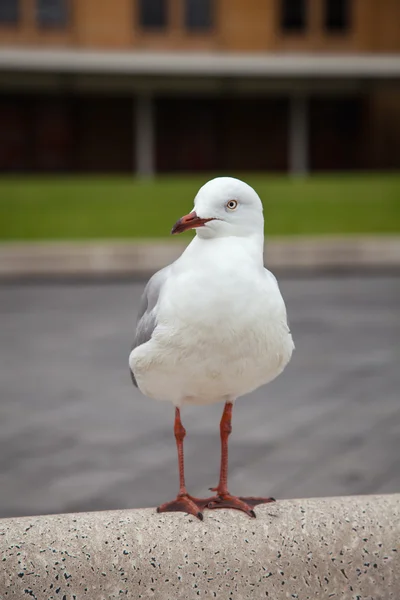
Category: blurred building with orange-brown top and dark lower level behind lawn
<point>199,85</point>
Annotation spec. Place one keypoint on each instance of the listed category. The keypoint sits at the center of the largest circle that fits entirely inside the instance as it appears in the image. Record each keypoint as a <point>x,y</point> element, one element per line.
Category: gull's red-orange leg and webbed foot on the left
<point>183,502</point>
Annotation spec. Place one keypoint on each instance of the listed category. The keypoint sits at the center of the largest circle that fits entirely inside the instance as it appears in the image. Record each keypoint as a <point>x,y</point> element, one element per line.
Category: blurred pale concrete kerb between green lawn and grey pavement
<point>94,259</point>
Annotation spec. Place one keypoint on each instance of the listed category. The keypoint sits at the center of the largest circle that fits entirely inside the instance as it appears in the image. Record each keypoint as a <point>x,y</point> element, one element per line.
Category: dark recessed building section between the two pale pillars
<point>222,134</point>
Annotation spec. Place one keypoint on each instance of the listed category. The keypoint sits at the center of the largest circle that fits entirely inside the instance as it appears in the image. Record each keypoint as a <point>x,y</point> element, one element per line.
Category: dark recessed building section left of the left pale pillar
<point>56,134</point>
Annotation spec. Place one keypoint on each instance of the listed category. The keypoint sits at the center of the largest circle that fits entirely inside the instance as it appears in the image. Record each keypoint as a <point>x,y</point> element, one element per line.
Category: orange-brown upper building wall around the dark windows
<point>238,25</point>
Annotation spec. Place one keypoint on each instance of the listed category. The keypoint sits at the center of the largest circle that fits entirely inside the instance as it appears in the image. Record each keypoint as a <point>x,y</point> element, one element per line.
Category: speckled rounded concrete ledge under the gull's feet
<point>344,548</point>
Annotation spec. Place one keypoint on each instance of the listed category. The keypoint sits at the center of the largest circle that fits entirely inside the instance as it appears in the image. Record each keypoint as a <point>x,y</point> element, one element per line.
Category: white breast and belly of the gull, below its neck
<point>222,332</point>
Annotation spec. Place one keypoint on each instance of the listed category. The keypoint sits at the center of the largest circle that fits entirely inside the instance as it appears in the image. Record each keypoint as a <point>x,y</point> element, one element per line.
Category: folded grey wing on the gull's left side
<point>147,319</point>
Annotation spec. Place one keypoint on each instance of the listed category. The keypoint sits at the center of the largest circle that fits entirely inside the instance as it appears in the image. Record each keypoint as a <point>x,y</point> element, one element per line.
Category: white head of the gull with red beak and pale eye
<point>224,207</point>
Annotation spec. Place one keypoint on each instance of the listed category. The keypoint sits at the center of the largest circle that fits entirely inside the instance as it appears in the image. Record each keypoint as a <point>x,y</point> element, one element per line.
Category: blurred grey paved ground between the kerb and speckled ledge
<point>76,435</point>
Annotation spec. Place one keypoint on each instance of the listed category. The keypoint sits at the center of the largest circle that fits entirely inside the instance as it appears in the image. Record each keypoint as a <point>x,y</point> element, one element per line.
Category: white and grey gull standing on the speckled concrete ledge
<point>212,326</point>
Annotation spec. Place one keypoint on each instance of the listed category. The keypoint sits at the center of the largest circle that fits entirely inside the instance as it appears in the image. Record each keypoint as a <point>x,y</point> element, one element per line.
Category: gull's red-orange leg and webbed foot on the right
<point>223,498</point>
